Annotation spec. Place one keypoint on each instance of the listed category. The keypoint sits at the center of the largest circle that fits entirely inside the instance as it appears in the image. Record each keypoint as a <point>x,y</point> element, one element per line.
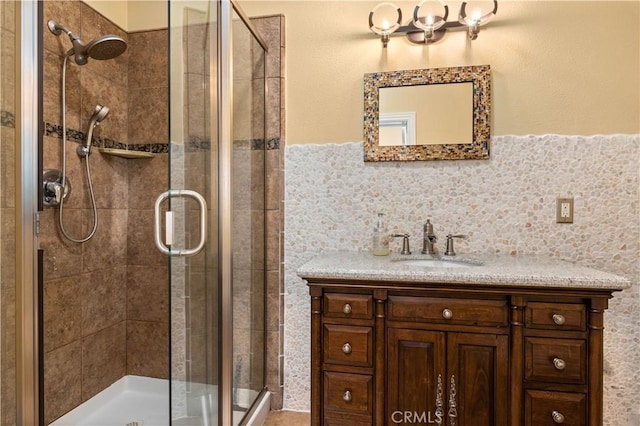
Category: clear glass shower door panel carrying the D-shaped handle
<point>193,166</point>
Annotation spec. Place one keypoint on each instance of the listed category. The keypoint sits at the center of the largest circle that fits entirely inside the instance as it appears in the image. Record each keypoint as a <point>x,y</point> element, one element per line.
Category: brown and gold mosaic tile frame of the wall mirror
<point>478,148</point>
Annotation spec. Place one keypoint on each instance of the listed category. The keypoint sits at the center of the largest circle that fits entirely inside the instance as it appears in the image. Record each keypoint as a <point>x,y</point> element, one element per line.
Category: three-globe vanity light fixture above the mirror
<point>429,23</point>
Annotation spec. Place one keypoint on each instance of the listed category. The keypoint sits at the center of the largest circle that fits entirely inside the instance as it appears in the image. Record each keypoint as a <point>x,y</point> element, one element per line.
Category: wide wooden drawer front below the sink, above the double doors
<point>489,313</point>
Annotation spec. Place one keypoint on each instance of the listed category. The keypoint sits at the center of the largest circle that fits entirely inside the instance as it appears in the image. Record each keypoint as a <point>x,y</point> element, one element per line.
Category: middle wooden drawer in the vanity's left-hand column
<point>348,345</point>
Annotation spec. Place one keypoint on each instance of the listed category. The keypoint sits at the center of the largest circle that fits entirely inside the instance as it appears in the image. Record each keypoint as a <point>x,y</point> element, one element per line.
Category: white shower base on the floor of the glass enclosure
<point>140,401</point>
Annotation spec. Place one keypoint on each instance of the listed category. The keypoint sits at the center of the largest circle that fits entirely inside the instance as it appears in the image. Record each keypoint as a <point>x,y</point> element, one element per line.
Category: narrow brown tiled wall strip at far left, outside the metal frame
<point>7,213</point>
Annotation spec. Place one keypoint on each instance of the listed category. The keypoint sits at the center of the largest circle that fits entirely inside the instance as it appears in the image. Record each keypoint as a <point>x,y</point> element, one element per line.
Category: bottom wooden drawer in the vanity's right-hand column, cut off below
<point>550,408</point>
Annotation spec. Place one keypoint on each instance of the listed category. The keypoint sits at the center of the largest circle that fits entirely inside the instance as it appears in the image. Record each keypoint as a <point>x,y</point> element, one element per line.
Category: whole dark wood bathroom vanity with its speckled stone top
<point>511,341</point>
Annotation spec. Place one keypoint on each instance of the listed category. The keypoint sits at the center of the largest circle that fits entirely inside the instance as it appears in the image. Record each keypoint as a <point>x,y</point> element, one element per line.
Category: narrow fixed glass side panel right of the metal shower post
<point>248,213</point>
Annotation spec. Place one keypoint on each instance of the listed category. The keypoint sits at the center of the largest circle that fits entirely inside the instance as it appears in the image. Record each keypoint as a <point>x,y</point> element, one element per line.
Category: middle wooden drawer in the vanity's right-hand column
<point>555,360</point>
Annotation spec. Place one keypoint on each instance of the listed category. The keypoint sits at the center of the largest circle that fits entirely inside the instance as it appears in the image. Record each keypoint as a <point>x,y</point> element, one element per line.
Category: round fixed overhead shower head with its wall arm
<point>100,48</point>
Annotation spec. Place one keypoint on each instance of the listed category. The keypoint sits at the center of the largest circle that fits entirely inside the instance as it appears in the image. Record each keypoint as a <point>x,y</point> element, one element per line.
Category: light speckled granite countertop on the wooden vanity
<point>521,271</point>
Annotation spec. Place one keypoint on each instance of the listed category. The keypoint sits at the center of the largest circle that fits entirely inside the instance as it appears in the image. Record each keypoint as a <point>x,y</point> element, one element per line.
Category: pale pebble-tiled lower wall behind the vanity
<point>505,204</point>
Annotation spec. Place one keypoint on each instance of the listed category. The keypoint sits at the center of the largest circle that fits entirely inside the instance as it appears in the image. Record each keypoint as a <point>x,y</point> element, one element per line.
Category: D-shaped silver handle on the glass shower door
<point>186,193</point>
